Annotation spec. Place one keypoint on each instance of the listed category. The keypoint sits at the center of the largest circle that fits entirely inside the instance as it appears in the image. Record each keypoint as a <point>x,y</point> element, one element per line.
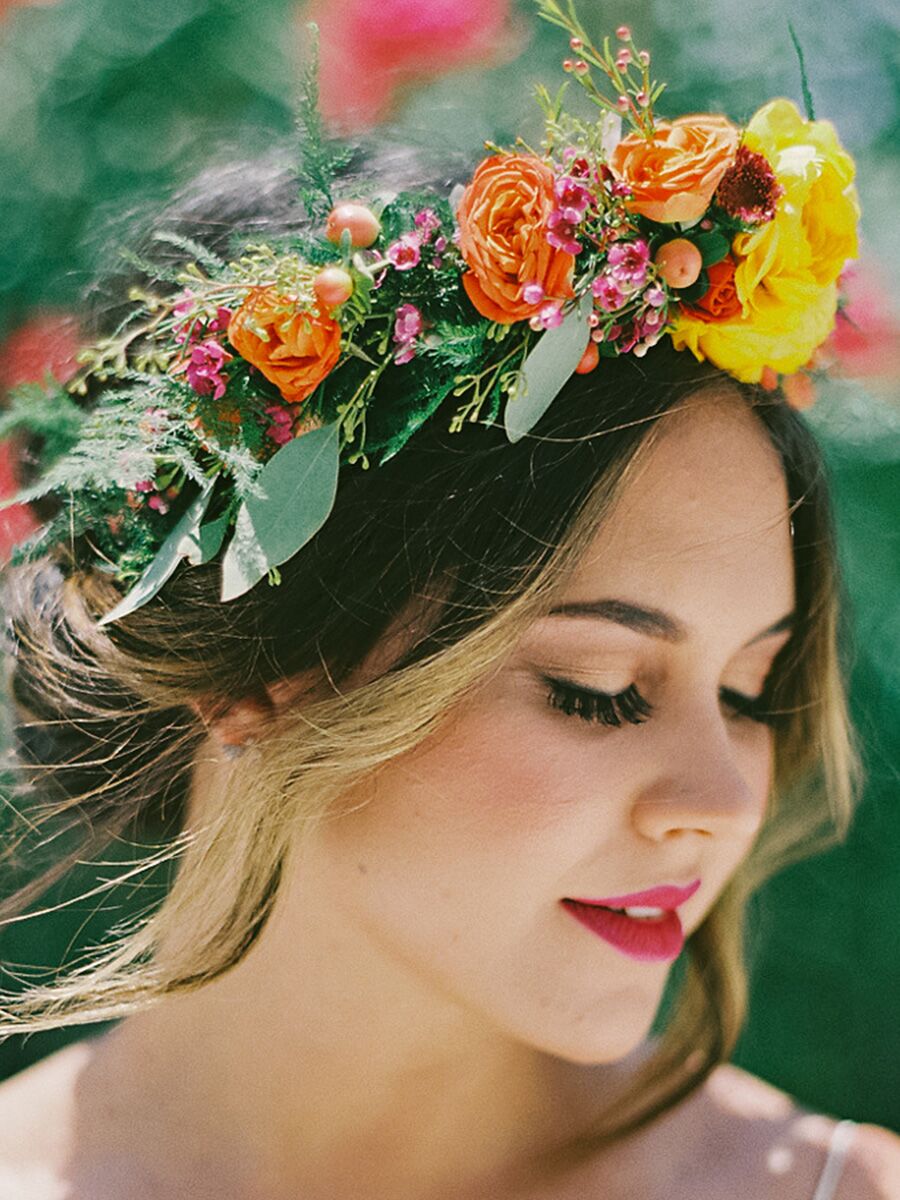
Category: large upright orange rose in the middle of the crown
<point>503,238</point>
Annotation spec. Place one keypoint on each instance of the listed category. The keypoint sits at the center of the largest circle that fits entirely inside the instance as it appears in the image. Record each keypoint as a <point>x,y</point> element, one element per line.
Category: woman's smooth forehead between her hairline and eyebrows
<point>701,524</point>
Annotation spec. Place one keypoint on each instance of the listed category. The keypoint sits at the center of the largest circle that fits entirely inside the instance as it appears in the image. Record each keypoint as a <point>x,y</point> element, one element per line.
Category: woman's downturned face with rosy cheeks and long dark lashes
<point>464,853</point>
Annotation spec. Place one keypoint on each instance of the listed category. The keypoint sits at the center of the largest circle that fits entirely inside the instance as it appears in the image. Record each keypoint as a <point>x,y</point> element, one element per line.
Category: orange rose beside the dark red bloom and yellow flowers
<point>675,173</point>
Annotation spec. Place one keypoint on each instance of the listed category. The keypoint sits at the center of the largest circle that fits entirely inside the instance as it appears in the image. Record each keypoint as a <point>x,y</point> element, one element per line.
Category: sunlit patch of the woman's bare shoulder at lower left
<point>38,1118</point>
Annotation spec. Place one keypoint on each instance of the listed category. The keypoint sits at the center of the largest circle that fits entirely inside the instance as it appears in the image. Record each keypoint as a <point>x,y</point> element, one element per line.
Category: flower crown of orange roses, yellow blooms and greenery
<point>243,388</point>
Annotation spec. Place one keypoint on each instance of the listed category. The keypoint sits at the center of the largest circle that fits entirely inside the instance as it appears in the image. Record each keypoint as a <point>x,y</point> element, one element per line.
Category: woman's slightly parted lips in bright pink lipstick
<point>645,926</point>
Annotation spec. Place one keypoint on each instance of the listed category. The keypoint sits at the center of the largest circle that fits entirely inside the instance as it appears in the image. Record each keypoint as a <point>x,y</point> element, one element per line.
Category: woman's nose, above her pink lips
<point>706,787</point>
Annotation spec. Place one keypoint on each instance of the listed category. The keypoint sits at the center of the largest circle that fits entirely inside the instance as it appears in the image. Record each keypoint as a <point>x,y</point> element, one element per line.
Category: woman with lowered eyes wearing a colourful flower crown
<point>523,711</point>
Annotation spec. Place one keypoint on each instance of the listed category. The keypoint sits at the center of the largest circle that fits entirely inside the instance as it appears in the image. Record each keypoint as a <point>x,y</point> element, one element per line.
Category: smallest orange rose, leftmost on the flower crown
<point>303,347</point>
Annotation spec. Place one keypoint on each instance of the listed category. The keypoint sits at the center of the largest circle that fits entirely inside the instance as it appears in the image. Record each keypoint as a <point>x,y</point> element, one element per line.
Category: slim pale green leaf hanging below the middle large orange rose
<point>547,370</point>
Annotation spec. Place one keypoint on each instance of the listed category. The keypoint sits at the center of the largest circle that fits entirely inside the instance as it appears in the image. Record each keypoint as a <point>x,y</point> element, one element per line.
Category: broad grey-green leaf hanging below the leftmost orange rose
<point>296,494</point>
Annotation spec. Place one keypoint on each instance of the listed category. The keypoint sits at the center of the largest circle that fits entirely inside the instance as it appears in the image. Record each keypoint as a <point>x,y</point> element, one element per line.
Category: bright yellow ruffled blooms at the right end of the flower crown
<point>788,269</point>
